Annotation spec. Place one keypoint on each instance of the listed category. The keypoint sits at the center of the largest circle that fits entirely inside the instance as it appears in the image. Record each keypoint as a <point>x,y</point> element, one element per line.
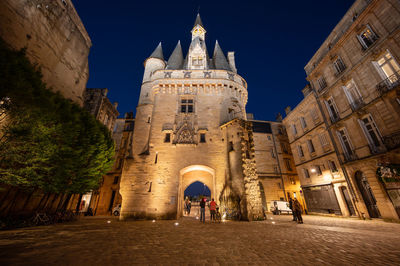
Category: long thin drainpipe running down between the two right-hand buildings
<point>346,176</point>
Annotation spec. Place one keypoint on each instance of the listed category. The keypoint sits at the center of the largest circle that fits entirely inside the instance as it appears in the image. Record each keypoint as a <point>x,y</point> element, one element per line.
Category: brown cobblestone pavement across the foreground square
<point>277,241</point>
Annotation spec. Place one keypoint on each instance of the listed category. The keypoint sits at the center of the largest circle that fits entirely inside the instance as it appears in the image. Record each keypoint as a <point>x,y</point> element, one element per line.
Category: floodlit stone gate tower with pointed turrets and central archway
<point>190,126</point>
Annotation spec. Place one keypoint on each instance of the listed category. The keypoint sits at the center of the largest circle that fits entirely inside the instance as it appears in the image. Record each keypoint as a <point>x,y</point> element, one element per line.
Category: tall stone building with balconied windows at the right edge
<point>355,76</point>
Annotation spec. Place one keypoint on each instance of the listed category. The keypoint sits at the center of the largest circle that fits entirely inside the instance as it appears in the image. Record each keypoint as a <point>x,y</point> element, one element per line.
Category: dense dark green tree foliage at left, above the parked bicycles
<point>46,141</point>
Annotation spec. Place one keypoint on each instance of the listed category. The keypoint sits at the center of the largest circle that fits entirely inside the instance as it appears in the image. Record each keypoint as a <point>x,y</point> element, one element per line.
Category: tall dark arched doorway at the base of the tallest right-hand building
<point>367,194</point>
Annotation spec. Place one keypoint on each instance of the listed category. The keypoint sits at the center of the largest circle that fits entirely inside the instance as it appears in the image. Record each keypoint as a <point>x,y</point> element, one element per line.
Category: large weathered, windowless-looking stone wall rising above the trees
<point>54,38</point>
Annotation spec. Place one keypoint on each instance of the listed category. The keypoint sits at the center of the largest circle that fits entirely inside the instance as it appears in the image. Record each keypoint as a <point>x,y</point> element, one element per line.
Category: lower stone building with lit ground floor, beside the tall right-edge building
<point>323,182</point>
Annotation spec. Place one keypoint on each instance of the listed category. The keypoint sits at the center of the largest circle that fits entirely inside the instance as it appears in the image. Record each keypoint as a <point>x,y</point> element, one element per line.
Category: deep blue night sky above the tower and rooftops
<point>272,40</point>
